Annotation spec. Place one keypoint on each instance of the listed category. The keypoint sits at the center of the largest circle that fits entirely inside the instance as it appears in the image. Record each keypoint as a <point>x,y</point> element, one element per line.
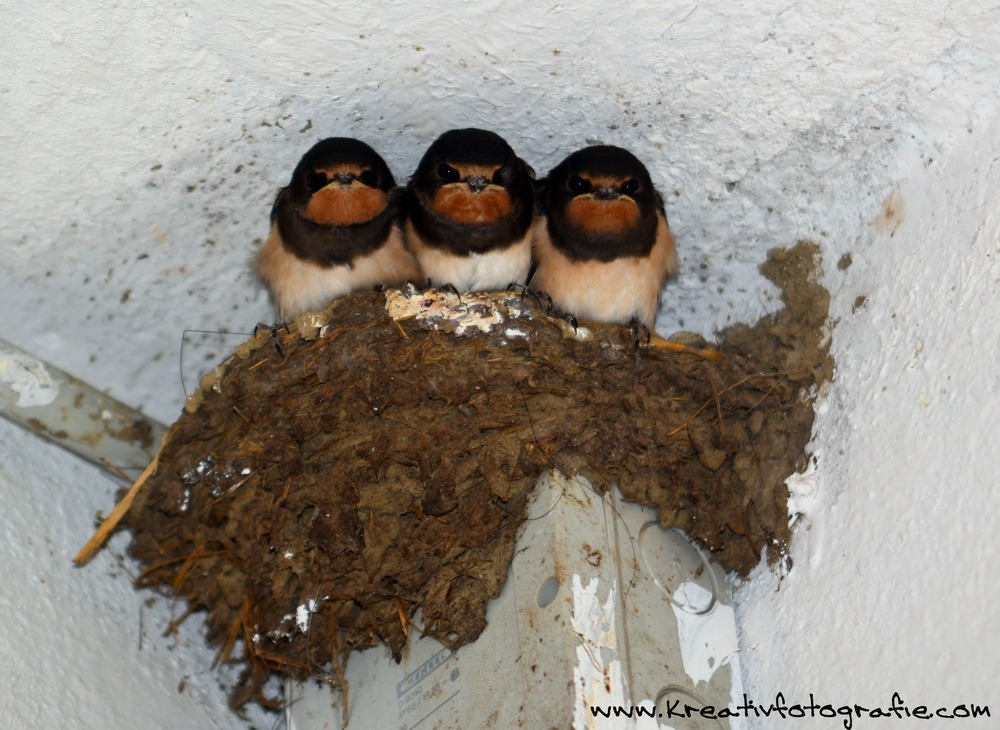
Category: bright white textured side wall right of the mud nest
<point>893,588</point>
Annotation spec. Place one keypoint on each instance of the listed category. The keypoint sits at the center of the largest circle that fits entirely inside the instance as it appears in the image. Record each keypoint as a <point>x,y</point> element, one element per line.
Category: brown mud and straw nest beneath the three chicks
<point>314,499</point>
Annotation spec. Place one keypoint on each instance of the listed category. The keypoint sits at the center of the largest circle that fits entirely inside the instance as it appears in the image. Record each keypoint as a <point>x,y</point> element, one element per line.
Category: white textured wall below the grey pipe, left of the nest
<point>80,647</point>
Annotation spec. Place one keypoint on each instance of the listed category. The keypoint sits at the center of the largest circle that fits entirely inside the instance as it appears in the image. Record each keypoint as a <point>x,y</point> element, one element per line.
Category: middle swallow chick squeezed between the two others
<point>470,210</point>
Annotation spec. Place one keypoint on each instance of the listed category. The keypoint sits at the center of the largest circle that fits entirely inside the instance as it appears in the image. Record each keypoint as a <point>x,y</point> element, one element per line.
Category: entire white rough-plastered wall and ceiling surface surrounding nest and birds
<point>141,145</point>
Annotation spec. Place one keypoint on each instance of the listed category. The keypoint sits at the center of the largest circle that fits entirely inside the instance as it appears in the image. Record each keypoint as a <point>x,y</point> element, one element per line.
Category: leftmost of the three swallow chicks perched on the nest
<point>334,229</point>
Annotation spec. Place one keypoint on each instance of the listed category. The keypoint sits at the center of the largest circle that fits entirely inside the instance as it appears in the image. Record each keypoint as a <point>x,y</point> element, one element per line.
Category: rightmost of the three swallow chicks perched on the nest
<point>603,248</point>
